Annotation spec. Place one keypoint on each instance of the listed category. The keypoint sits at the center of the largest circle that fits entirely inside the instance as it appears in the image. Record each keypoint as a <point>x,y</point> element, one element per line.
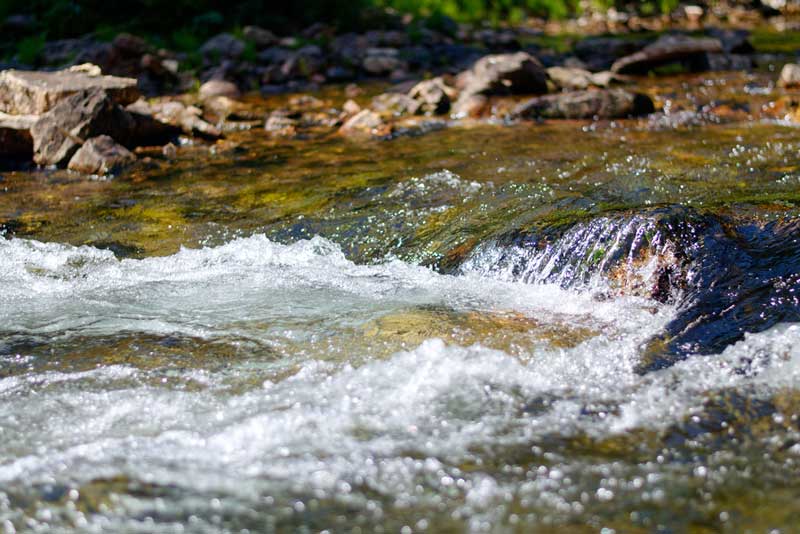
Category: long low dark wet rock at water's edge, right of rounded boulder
<point>602,104</point>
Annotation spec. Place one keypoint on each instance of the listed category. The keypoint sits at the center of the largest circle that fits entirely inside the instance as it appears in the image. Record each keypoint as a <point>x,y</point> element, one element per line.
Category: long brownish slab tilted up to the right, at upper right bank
<point>665,50</point>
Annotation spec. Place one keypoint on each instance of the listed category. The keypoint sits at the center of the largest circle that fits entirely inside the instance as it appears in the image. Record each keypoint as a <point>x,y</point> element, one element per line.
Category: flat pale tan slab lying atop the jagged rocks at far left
<point>35,92</point>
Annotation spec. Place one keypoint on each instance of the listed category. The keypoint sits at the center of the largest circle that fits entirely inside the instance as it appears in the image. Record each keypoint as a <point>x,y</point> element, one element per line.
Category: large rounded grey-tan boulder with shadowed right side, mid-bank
<point>505,74</point>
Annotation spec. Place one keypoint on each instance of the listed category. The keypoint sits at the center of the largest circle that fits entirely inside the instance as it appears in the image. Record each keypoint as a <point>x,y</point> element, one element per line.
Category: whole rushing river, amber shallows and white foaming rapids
<point>504,328</point>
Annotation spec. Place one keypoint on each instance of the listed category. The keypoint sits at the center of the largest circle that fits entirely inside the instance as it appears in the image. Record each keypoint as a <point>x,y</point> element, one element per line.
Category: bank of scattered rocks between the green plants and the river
<point>108,103</point>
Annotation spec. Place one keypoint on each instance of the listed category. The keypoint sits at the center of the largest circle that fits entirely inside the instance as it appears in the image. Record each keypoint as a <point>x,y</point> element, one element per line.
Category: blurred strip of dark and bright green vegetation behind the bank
<point>186,23</point>
